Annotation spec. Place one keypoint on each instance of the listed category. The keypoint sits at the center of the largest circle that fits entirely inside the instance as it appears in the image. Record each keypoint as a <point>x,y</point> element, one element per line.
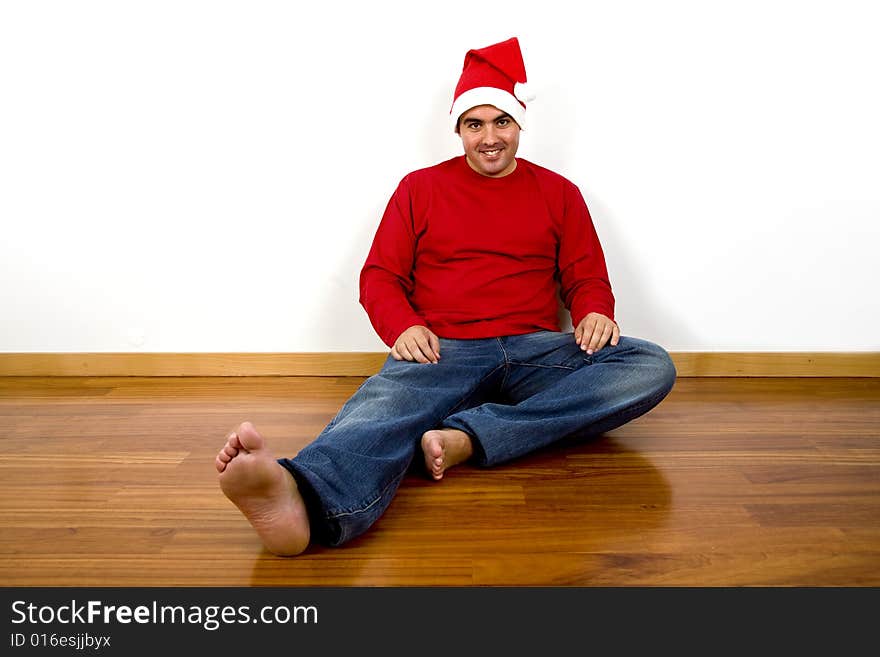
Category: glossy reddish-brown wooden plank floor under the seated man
<point>110,482</point>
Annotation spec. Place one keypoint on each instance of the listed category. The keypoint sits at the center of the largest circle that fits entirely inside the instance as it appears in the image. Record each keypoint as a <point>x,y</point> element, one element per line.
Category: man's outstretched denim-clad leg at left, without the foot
<point>349,475</point>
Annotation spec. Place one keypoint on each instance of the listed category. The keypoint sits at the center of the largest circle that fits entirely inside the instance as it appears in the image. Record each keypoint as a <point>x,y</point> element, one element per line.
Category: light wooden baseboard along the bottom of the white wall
<point>732,364</point>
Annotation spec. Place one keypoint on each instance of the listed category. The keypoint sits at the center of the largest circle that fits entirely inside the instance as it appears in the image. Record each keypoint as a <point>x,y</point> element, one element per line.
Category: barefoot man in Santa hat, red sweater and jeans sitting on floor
<point>462,282</point>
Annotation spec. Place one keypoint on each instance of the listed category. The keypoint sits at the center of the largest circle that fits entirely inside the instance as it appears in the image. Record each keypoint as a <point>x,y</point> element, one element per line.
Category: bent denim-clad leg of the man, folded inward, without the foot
<point>559,391</point>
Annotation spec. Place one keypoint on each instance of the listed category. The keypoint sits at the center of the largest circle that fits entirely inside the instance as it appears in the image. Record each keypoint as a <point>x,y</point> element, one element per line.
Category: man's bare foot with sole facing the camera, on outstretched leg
<point>263,491</point>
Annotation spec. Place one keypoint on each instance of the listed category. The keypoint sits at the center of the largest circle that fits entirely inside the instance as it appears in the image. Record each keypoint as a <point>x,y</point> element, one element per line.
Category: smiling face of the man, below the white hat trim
<point>490,138</point>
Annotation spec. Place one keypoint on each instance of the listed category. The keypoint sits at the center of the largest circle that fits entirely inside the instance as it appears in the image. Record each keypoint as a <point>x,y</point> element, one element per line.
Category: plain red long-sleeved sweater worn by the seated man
<point>471,256</point>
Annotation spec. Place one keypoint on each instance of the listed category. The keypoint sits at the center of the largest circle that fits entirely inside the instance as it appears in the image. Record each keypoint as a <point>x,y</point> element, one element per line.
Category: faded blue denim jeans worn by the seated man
<point>512,395</point>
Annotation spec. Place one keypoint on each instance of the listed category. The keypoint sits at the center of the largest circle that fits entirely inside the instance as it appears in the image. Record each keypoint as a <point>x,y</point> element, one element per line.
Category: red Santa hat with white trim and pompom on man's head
<point>494,75</point>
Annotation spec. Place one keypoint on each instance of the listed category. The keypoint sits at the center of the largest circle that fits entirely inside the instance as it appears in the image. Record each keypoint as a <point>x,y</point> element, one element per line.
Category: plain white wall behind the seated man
<point>207,176</point>
